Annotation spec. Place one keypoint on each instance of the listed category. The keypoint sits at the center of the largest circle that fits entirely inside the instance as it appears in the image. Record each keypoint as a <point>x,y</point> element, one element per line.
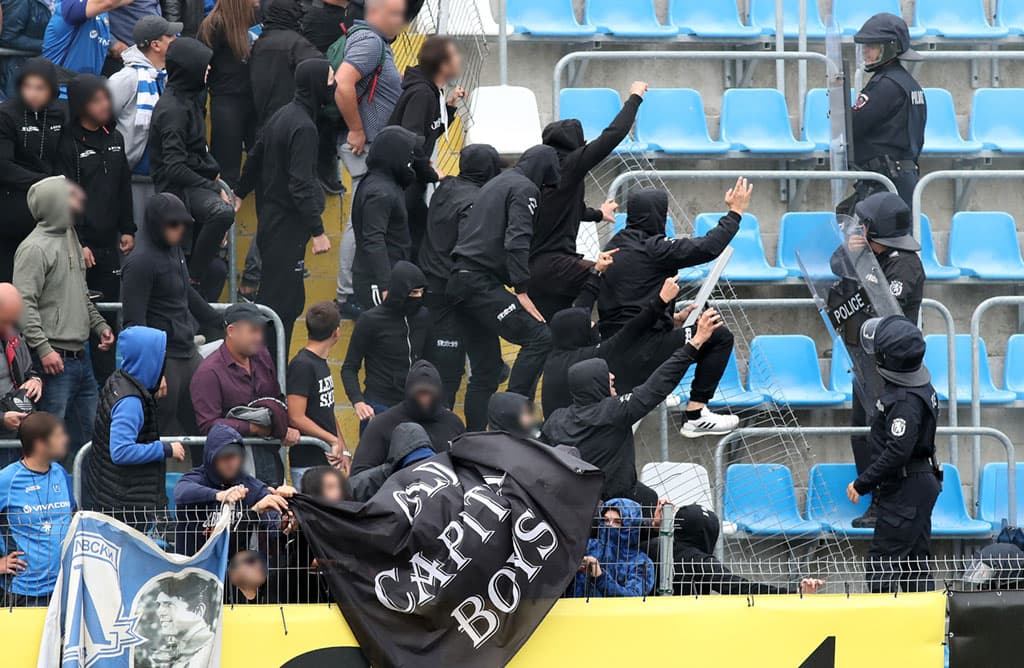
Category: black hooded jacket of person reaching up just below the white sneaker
<point>601,427</point>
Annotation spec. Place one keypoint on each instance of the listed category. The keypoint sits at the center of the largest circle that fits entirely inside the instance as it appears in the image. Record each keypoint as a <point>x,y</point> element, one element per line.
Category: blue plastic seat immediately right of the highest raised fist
<point>673,120</point>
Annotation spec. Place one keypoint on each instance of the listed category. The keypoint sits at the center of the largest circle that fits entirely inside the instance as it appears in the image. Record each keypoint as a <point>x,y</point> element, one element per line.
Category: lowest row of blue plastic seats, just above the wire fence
<point>761,500</point>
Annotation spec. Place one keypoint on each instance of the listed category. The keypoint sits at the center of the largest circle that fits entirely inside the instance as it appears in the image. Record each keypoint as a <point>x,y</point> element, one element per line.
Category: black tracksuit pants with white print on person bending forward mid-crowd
<point>486,312</point>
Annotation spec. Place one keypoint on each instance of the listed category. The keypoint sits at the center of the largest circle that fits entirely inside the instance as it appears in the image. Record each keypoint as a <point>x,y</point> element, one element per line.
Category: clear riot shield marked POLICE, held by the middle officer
<point>848,287</point>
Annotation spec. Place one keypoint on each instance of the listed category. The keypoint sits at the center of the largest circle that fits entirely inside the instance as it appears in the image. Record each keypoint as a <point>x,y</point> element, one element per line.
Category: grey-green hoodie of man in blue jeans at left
<point>50,272</point>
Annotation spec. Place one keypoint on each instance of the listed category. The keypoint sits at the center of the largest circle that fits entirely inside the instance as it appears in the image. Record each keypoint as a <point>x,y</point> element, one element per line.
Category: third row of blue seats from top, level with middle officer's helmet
<point>984,245</point>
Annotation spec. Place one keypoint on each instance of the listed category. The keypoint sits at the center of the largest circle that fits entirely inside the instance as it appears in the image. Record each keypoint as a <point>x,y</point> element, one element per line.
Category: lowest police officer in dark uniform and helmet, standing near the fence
<point>904,475</point>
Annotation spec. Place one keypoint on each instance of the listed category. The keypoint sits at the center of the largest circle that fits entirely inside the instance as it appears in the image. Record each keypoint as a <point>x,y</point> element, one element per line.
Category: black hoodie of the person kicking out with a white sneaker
<point>647,258</point>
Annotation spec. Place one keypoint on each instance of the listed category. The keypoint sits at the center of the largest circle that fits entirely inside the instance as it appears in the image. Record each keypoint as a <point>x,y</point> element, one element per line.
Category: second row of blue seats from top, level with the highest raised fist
<point>757,121</point>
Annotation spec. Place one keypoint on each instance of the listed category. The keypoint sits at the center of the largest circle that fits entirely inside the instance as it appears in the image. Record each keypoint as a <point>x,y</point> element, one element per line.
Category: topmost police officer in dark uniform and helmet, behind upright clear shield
<point>890,112</point>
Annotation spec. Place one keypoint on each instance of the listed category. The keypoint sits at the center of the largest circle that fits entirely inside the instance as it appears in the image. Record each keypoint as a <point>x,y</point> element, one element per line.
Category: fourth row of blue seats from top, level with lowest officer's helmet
<point>785,368</point>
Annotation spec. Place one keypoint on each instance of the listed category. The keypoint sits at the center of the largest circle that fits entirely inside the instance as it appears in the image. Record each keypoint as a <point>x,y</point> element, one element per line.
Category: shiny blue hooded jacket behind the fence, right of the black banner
<point>625,570</point>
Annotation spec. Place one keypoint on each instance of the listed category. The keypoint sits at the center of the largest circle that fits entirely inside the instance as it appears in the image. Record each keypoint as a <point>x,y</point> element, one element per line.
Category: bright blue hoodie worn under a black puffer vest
<point>143,352</point>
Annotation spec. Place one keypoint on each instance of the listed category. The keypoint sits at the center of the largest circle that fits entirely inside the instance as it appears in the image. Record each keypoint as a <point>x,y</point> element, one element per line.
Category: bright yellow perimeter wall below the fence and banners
<point>775,633</point>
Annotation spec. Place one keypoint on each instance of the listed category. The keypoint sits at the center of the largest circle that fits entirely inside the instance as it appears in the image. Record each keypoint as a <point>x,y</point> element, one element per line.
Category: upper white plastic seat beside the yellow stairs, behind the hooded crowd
<point>505,117</point>
